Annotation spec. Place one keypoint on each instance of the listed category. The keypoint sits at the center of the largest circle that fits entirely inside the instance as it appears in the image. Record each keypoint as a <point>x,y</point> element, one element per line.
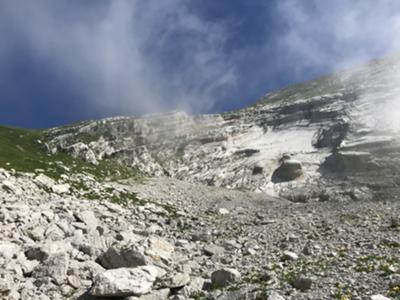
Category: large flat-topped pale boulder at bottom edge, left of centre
<point>124,282</point>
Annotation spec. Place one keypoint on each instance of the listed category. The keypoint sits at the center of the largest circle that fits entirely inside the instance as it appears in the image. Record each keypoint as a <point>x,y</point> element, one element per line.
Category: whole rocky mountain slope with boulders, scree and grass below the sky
<point>294,197</point>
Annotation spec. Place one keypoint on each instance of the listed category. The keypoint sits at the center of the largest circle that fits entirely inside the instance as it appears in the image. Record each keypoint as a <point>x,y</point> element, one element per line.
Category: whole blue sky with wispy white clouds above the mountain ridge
<point>66,60</point>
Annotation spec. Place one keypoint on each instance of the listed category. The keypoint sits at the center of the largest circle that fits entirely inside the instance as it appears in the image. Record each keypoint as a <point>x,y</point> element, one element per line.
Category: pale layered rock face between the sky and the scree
<point>341,129</point>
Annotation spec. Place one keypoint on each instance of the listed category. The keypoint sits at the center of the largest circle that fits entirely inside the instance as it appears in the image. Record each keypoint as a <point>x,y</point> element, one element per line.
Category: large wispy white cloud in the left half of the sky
<point>128,56</point>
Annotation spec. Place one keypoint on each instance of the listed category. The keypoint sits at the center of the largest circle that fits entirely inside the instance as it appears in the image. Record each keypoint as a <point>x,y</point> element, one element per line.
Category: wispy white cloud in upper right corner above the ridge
<point>334,34</point>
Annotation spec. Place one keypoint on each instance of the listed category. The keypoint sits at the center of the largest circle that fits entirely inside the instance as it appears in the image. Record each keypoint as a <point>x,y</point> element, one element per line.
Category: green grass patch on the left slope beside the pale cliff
<point>23,150</point>
